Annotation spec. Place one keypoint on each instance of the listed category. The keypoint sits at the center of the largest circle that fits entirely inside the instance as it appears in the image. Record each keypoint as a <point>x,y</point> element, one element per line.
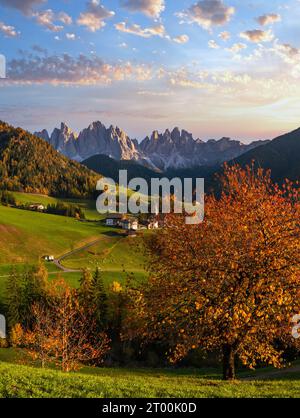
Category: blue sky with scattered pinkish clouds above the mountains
<point>213,67</point>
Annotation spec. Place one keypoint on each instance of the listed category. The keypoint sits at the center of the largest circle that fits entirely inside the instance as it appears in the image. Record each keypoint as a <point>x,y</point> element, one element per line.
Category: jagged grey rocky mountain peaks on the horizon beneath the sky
<point>160,151</point>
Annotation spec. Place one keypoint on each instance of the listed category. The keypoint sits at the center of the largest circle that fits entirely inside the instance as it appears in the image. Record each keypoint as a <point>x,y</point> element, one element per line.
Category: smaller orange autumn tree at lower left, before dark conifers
<point>64,331</point>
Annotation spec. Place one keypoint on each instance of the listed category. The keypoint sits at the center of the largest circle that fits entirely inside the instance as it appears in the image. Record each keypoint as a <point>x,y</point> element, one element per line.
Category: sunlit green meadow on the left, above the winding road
<point>25,235</point>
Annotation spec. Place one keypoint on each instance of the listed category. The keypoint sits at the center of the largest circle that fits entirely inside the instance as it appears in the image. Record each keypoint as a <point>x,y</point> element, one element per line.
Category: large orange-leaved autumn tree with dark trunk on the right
<point>230,284</point>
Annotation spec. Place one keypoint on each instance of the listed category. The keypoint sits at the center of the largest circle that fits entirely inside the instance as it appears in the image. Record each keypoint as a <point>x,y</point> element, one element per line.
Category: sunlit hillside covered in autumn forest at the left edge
<point>29,164</point>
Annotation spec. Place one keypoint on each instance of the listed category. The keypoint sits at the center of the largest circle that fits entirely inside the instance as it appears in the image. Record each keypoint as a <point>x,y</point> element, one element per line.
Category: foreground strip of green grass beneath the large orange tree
<point>24,381</point>
